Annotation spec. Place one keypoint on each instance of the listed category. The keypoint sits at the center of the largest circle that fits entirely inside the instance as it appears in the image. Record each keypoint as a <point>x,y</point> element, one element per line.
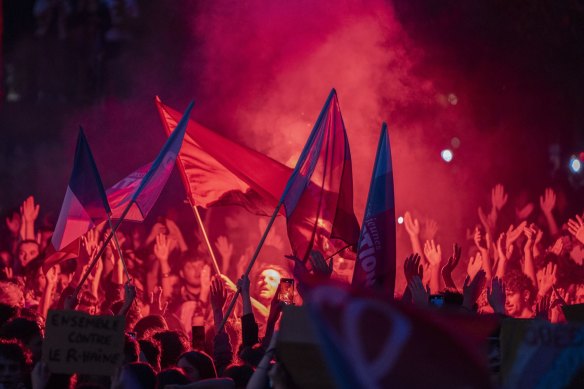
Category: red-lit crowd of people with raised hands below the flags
<point>530,268</point>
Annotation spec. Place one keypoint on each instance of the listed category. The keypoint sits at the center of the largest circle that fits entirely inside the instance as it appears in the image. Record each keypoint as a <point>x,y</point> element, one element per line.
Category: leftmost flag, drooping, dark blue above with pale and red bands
<point>85,203</point>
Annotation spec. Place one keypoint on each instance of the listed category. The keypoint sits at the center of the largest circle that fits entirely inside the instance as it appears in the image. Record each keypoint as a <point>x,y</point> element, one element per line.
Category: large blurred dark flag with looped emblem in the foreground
<point>370,342</point>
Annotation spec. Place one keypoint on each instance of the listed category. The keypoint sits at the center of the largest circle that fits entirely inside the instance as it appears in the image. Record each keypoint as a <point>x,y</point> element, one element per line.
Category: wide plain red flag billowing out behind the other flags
<point>217,171</point>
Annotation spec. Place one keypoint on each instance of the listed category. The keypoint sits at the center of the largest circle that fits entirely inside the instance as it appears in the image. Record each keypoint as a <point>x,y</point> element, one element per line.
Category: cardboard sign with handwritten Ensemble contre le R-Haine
<point>77,342</point>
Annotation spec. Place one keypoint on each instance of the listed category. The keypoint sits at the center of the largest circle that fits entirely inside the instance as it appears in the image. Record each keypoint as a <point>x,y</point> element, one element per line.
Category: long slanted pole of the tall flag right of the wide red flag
<point>299,164</point>
